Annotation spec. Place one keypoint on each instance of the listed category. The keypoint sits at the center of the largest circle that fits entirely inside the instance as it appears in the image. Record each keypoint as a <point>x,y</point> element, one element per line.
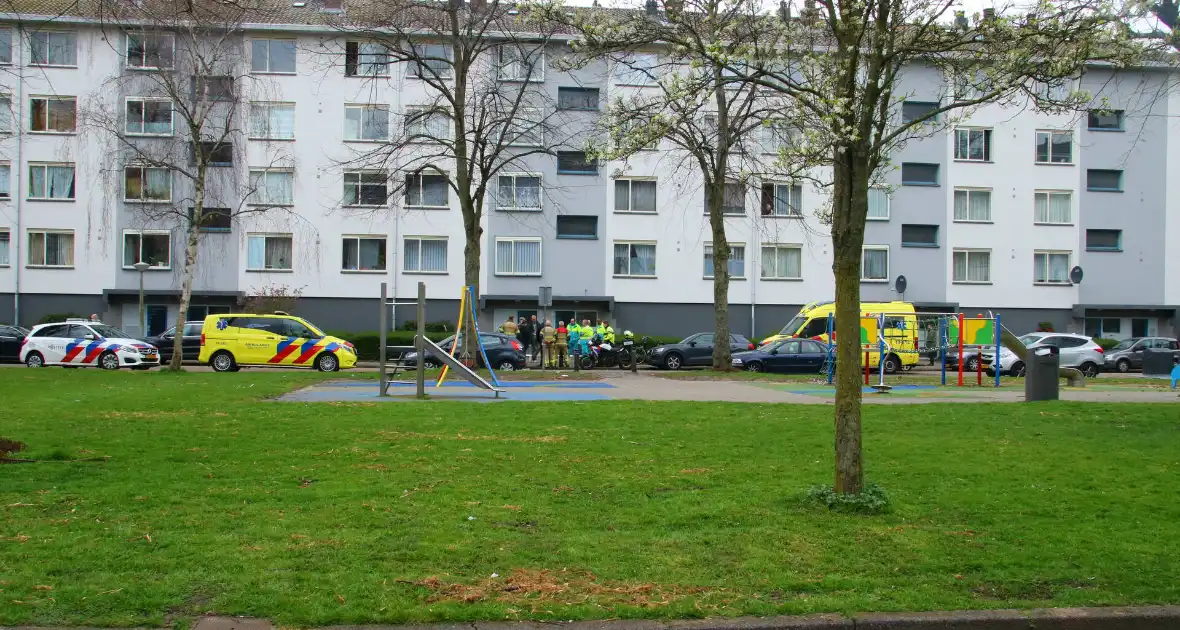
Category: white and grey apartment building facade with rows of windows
<point>988,215</point>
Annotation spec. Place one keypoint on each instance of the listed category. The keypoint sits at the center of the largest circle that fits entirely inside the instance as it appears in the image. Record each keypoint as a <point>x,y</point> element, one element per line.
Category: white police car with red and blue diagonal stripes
<point>86,344</point>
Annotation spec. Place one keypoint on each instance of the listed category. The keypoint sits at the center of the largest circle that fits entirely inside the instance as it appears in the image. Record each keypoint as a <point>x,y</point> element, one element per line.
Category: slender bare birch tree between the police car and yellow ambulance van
<point>178,124</point>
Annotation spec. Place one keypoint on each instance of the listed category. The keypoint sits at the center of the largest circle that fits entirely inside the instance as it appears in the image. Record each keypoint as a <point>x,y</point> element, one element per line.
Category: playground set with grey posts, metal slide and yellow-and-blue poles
<point>389,316</point>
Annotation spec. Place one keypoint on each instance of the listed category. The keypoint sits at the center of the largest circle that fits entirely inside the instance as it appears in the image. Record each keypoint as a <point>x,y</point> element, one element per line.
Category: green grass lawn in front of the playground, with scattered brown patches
<point>201,496</point>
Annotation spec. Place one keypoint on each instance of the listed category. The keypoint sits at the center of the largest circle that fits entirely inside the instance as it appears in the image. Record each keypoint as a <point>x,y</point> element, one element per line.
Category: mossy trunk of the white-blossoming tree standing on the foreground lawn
<point>850,200</point>
